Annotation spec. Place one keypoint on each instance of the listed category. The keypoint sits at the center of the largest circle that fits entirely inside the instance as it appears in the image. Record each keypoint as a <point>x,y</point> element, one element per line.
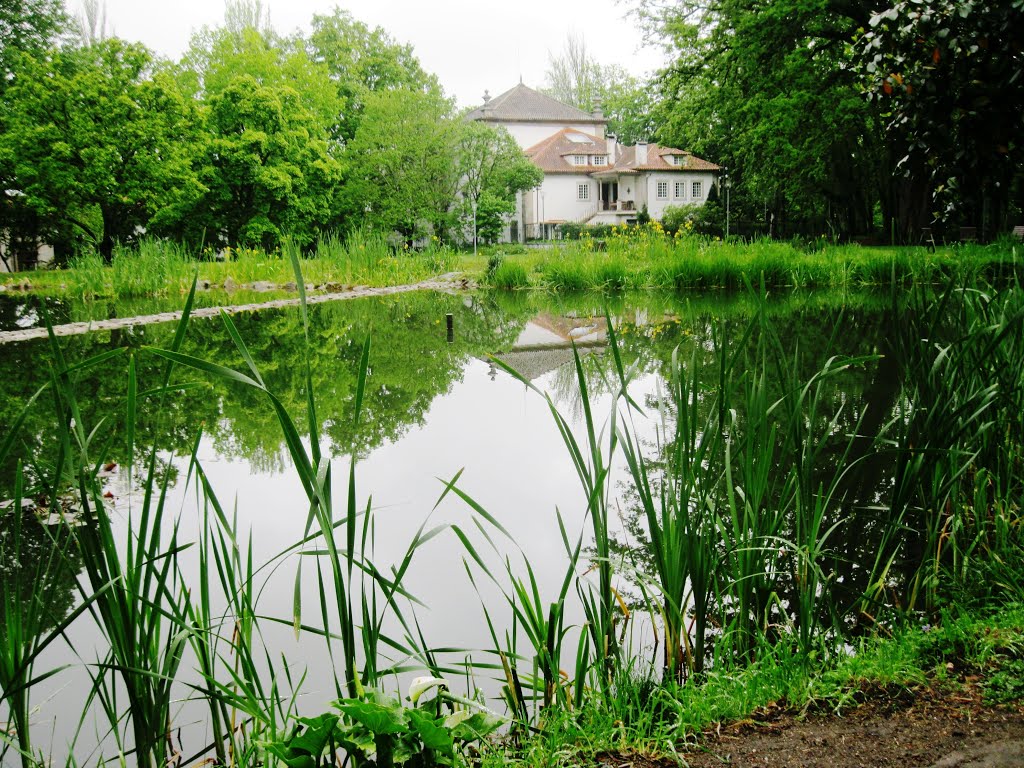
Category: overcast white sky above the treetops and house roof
<point>472,46</point>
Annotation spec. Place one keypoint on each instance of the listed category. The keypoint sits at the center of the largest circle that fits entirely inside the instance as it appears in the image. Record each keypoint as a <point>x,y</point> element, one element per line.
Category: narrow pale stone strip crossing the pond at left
<point>450,282</point>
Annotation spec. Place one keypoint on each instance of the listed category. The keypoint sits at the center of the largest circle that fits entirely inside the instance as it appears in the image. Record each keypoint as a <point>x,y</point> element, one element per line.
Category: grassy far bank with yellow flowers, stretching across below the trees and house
<point>637,260</point>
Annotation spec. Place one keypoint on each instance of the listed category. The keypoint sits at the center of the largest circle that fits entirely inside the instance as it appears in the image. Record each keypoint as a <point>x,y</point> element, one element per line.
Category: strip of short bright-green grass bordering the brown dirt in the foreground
<point>647,718</point>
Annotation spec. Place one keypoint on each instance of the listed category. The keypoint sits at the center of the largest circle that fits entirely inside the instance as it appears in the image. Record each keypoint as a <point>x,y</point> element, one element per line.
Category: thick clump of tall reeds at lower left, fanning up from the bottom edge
<point>133,590</point>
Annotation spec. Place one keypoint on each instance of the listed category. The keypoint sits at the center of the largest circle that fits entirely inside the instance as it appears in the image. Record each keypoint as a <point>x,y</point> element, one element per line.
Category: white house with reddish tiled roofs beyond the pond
<point>589,178</point>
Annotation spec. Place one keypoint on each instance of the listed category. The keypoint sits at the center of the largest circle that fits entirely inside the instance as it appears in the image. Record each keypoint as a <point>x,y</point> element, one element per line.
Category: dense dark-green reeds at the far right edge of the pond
<point>958,447</point>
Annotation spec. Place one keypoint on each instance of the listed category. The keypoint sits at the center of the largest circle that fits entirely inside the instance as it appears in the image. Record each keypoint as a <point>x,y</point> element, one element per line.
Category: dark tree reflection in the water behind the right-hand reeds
<point>862,400</point>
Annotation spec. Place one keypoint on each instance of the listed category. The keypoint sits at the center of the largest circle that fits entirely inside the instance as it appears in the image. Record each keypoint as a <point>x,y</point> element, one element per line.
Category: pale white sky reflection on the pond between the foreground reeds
<point>515,464</point>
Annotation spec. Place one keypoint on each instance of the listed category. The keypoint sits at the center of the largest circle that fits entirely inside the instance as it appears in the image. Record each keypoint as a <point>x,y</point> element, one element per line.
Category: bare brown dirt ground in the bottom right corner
<point>923,729</point>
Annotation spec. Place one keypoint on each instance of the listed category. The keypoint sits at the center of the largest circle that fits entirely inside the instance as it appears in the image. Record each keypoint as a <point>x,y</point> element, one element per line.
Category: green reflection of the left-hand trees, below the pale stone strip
<point>412,364</point>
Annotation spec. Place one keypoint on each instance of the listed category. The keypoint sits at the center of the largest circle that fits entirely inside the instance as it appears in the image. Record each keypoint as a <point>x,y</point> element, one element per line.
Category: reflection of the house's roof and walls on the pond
<point>545,345</point>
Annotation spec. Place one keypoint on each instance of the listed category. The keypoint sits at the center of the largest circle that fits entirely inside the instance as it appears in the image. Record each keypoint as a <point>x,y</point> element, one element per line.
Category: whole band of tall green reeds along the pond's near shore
<point>743,498</point>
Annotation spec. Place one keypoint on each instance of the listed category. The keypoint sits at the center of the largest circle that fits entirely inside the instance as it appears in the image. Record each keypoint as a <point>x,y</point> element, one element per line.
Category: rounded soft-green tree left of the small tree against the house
<point>402,170</point>
